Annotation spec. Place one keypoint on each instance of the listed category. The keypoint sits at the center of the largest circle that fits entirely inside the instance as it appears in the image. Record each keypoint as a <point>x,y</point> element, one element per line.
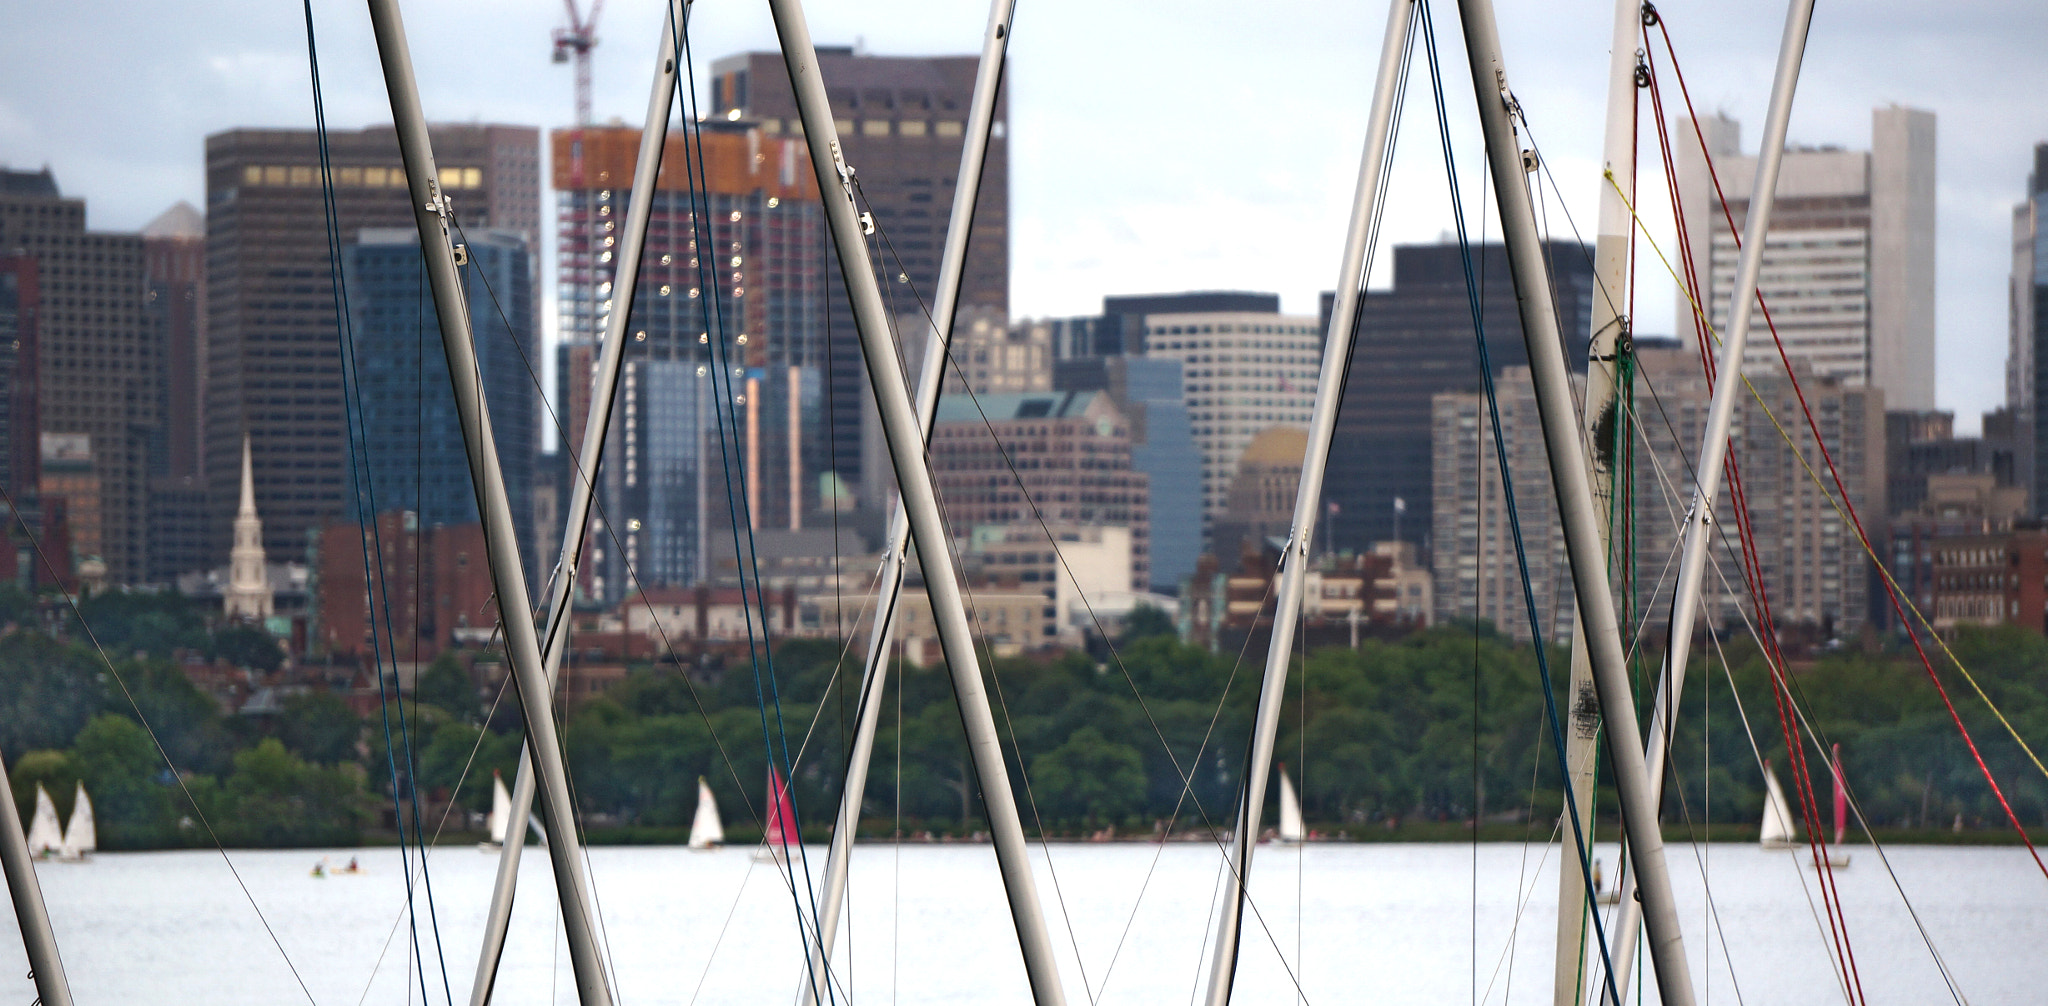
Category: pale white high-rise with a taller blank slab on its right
<point>1850,261</point>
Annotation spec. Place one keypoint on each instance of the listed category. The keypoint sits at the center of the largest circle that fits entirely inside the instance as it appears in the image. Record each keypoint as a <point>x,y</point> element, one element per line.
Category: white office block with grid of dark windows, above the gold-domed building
<point>1246,372</point>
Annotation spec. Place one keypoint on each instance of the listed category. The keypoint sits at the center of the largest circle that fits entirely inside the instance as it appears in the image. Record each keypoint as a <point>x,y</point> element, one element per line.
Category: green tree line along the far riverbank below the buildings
<point>1445,726</point>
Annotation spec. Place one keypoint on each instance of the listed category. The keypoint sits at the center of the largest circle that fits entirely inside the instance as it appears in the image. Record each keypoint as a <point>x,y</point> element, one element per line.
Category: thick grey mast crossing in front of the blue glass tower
<point>501,544</point>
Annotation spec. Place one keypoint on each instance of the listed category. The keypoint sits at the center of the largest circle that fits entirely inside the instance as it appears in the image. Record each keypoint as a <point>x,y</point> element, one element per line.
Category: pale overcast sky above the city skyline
<point>1154,146</point>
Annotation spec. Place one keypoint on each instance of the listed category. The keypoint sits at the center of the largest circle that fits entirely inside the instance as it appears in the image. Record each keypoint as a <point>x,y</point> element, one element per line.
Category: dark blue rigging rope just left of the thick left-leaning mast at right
<point>1514,521</point>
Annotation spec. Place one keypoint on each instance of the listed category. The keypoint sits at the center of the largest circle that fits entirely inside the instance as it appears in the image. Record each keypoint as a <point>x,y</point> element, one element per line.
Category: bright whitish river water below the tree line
<point>1355,923</point>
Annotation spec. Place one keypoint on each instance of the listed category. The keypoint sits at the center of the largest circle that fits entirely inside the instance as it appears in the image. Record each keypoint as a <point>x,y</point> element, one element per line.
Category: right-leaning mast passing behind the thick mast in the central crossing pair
<point>931,378</point>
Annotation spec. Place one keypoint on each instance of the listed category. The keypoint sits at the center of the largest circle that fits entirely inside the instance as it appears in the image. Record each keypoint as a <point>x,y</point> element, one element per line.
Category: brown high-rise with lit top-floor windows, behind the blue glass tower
<point>273,337</point>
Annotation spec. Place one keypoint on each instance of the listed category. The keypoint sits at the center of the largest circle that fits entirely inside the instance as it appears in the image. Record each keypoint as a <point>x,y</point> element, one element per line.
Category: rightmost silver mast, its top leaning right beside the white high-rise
<point>1715,442</point>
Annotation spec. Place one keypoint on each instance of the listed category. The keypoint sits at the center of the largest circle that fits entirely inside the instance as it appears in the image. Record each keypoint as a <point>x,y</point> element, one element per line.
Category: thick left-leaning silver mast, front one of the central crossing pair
<point>921,499</point>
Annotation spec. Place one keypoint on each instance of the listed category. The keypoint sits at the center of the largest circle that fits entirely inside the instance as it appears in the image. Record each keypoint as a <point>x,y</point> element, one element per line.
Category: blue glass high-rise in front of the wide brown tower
<point>413,439</point>
